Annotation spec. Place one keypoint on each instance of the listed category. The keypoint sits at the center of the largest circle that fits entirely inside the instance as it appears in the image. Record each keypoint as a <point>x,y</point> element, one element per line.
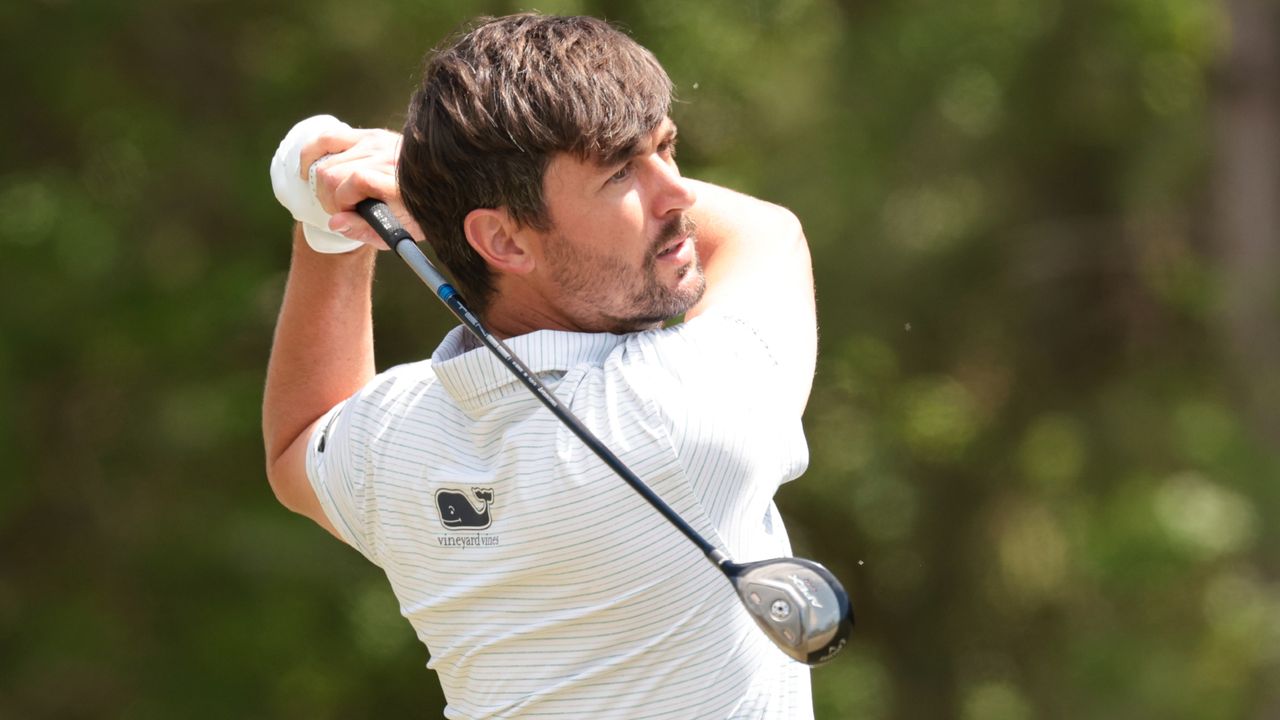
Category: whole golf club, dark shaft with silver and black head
<point>799,604</point>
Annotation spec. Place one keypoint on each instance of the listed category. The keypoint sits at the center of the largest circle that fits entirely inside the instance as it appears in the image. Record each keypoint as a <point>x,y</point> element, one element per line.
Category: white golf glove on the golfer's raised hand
<point>296,194</point>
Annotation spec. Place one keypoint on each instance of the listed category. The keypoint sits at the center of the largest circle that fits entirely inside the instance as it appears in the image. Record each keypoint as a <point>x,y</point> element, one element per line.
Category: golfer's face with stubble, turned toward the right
<point>621,253</point>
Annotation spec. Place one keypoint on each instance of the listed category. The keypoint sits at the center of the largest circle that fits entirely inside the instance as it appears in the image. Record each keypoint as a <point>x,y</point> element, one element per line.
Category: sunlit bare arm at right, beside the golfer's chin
<point>757,265</point>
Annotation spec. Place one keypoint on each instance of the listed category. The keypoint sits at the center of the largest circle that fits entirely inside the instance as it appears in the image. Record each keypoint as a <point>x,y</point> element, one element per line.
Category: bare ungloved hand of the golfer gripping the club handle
<point>354,165</point>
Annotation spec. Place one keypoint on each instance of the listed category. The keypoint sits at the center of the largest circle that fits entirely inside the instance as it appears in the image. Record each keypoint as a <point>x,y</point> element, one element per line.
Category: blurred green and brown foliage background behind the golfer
<point>1048,408</point>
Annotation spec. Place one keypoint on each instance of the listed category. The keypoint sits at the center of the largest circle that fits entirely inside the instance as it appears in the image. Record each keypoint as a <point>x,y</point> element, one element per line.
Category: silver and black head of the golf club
<point>799,604</point>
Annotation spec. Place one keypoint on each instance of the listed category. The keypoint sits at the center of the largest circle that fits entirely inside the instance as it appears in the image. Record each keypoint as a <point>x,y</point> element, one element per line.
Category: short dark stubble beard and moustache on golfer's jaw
<point>597,284</point>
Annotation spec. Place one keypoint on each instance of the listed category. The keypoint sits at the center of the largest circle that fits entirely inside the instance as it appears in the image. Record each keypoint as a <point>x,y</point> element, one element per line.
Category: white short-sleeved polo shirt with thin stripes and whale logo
<point>545,586</point>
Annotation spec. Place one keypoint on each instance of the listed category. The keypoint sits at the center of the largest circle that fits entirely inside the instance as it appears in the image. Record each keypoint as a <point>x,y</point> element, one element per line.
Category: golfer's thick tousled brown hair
<point>499,103</point>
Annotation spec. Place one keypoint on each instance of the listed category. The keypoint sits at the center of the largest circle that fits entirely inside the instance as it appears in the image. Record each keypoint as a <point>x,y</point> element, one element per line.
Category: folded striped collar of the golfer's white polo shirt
<point>476,379</point>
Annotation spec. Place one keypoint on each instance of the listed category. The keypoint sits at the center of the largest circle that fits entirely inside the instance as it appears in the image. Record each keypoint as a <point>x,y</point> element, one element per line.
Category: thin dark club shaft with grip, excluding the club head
<point>399,240</point>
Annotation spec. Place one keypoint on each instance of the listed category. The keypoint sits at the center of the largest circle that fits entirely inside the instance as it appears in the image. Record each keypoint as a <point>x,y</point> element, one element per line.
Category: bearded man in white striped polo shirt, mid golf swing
<point>540,162</point>
